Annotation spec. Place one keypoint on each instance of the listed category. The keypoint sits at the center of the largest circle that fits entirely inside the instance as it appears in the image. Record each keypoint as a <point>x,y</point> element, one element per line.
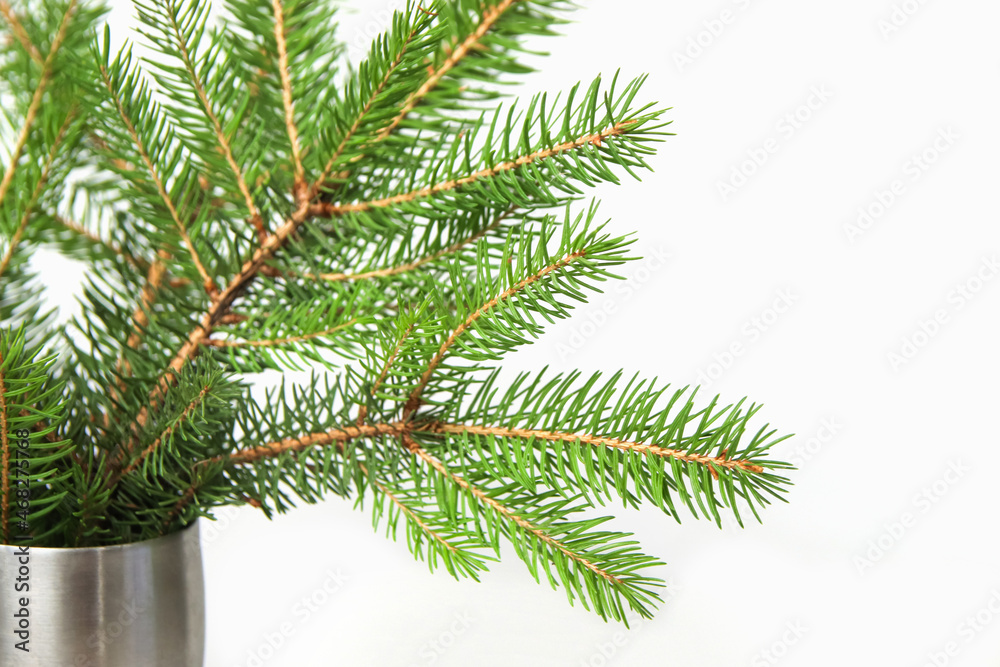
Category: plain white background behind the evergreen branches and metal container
<point>888,550</point>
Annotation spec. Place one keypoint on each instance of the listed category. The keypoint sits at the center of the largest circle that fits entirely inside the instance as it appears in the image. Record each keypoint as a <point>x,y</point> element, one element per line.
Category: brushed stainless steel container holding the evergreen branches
<point>136,605</point>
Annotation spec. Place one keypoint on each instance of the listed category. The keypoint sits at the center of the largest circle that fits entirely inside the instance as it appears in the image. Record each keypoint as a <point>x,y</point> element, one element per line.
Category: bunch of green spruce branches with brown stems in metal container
<point>242,207</point>
